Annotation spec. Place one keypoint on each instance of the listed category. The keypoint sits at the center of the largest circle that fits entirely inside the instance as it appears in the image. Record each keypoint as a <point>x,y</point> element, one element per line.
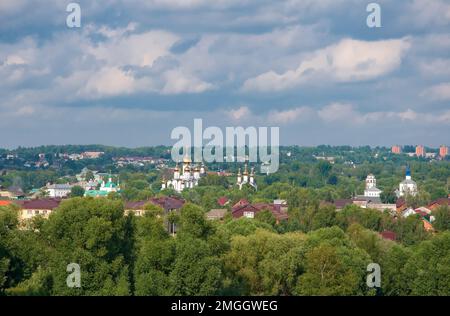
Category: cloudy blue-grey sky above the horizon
<point>137,69</point>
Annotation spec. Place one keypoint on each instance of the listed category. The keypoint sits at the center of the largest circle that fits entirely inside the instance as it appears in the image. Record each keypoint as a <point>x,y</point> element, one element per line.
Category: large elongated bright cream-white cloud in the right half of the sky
<point>347,61</point>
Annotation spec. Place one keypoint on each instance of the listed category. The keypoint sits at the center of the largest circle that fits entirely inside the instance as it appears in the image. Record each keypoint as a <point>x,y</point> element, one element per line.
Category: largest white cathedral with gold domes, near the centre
<point>186,178</point>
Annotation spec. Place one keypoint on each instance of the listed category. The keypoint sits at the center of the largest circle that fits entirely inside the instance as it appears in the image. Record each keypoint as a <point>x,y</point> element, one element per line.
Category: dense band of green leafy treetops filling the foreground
<point>317,252</point>
